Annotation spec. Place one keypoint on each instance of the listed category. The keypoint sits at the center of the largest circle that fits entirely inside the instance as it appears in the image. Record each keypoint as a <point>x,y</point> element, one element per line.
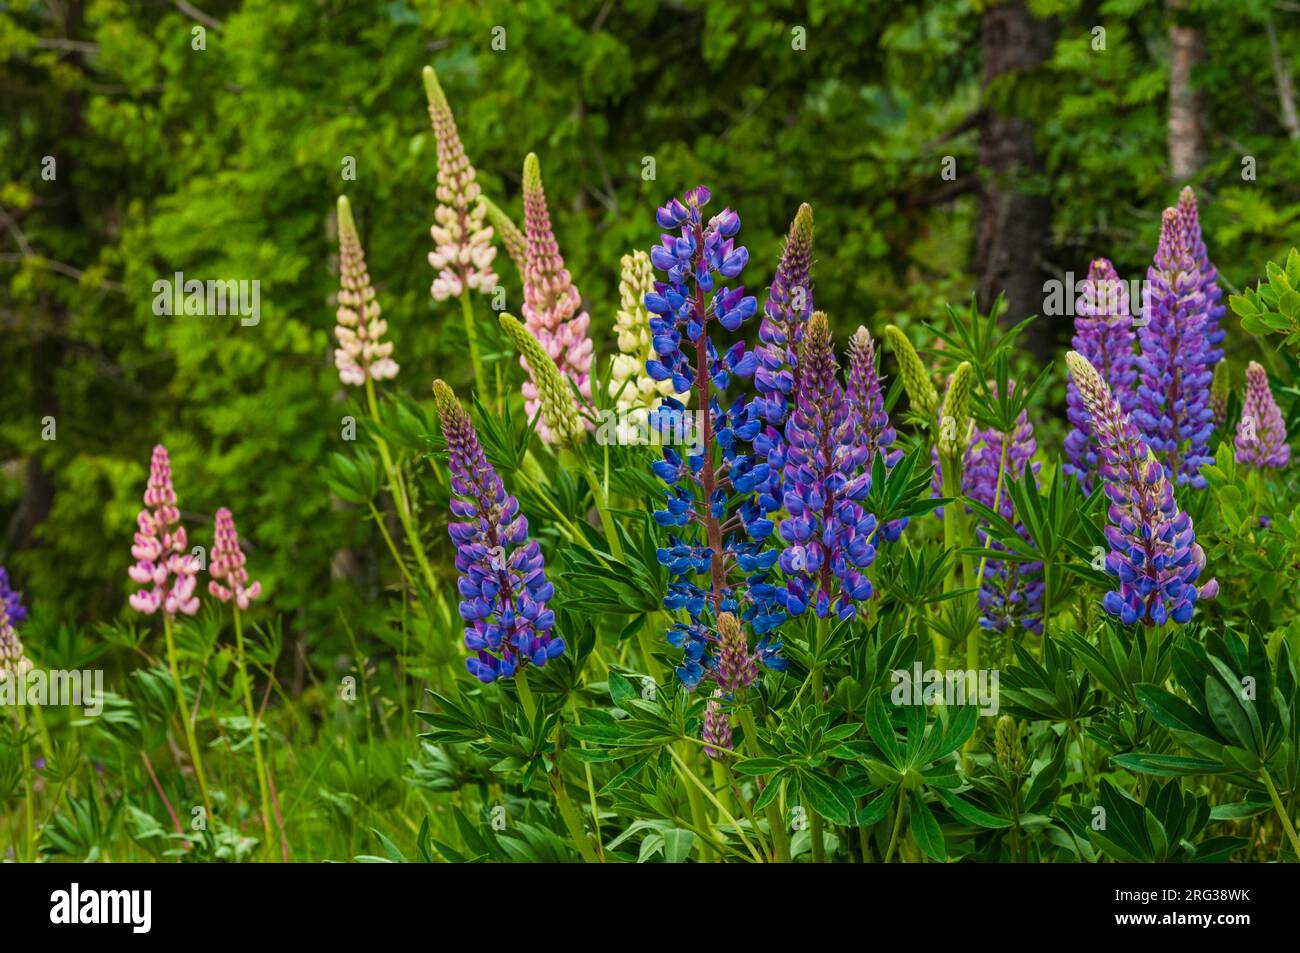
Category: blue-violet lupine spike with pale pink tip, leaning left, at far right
<point>1154,555</point>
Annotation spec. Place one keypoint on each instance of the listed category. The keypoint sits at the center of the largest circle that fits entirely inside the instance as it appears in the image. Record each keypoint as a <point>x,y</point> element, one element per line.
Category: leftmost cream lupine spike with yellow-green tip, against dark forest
<point>361,354</point>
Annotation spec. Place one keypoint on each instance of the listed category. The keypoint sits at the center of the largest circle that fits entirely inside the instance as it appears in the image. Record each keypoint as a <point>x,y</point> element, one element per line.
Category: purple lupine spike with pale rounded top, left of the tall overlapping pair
<point>1103,333</point>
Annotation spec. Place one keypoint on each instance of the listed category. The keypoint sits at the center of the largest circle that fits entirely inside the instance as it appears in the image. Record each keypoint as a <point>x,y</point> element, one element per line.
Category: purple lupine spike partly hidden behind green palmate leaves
<point>1011,594</point>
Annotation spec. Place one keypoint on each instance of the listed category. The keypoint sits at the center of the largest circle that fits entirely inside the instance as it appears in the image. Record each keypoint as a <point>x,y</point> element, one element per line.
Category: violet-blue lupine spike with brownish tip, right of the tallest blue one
<point>829,536</point>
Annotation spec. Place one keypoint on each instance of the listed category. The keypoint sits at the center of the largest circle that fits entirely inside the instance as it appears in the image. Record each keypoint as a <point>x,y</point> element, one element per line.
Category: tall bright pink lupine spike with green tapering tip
<point>553,307</point>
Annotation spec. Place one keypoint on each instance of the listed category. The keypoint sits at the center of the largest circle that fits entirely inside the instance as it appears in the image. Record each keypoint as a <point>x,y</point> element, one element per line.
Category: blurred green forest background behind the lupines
<point>1064,129</point>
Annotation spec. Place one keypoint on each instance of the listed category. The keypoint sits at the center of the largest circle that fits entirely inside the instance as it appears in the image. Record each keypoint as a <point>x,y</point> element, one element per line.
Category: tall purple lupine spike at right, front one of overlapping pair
<point>1173,411</point>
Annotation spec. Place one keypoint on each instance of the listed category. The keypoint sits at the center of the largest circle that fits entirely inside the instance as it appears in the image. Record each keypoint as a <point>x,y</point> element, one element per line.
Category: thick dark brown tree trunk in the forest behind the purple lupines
<point>1015,227</point>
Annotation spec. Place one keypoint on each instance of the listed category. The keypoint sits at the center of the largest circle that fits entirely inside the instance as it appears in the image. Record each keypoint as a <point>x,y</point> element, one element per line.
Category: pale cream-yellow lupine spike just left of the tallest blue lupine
<point>634,391</point>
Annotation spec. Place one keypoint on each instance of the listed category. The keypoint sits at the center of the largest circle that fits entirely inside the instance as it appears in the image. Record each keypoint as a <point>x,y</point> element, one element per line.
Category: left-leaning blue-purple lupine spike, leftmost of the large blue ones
<point>504,587</point>
